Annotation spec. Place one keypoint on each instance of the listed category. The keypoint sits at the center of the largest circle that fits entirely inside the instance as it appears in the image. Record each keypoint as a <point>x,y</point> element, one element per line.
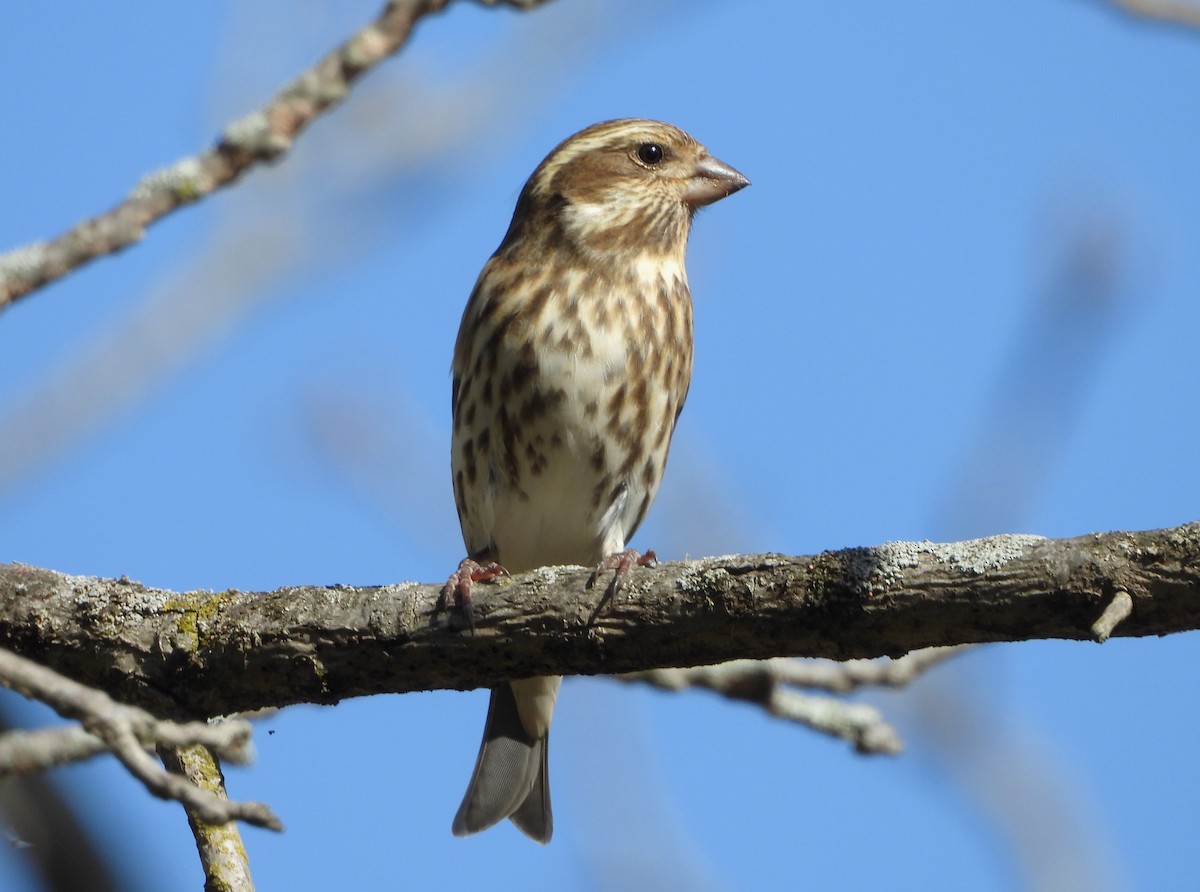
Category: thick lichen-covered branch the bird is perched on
<point>218,654</point>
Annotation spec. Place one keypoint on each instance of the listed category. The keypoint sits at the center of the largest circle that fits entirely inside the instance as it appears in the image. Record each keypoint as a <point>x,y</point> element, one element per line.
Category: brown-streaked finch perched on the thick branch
<point>572,366</point>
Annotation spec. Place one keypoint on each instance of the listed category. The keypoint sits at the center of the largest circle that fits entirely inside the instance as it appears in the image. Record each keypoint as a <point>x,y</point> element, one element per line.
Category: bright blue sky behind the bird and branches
<point>961,298</point>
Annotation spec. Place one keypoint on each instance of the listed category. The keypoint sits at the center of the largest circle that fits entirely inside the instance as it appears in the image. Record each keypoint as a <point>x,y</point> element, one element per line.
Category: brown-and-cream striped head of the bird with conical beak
<point>621,187</point>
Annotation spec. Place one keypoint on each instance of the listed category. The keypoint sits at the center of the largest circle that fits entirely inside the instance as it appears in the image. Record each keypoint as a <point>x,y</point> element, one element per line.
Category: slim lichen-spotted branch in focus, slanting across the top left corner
<point>262,136</point>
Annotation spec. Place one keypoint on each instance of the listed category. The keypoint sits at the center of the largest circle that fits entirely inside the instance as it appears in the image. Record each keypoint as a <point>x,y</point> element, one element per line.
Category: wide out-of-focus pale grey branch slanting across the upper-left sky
<point>329,205</point>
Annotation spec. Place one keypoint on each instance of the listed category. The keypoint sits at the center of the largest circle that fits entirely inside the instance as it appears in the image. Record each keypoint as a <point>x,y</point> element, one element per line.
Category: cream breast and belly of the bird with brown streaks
<point>562,433</point>
